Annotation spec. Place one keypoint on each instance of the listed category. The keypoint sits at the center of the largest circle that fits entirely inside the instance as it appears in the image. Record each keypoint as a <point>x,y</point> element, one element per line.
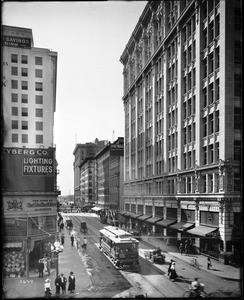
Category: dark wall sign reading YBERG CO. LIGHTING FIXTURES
<point>27,169</point>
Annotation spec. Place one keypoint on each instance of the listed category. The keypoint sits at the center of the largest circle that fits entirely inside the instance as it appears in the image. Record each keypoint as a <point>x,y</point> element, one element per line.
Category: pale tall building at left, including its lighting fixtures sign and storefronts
<point>29,172</point>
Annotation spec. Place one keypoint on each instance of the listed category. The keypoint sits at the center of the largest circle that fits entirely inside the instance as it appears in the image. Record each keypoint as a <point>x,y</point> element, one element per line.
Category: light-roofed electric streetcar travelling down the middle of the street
<point>120,247</point>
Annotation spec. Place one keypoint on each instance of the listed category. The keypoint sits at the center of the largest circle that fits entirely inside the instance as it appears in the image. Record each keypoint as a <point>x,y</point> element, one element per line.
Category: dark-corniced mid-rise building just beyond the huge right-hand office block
<point>109,176</point>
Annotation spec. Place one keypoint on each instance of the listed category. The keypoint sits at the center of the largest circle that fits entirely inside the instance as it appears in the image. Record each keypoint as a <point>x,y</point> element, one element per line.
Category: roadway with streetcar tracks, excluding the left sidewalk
<point>152,280</point>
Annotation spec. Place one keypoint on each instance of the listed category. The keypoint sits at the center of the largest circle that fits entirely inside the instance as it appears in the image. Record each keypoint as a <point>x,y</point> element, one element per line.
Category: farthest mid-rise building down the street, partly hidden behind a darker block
<point>81,152</point>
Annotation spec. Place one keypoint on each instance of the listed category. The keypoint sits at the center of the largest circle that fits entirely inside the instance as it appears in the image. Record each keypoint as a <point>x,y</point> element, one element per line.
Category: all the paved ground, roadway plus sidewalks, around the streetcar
<point>96,276</point>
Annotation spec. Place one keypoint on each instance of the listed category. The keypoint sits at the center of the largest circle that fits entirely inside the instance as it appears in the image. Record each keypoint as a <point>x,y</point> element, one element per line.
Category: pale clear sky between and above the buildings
<point>89,38</point>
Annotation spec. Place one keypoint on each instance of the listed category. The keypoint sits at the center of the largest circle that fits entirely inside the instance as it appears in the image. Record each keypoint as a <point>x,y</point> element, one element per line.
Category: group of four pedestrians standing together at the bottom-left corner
<point>60,285</point>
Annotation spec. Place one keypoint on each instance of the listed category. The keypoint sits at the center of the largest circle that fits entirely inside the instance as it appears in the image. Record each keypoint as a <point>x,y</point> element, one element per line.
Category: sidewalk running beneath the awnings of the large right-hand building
<point>218,269</point>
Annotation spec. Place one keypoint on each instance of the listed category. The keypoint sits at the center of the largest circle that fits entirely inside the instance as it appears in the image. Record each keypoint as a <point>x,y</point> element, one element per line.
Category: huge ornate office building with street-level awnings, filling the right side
<point>182,103</point>
